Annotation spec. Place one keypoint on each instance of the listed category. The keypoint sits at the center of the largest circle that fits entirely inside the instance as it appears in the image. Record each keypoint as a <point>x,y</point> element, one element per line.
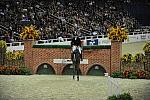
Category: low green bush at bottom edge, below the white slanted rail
<point>124,96</point>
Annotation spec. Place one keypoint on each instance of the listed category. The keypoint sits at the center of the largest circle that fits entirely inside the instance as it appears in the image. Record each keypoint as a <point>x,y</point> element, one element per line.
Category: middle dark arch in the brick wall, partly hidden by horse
<point>68,70</point>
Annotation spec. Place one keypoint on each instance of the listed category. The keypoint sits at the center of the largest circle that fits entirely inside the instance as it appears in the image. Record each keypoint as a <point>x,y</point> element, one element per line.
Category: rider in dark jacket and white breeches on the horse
<point>76,44</point>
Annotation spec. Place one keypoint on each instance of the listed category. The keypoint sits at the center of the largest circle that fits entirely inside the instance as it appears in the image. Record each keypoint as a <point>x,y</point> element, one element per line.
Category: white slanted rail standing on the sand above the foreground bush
<point>113,86</point>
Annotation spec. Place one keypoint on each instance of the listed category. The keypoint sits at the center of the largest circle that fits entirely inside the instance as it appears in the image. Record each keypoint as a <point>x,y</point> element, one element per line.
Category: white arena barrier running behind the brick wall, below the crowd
<point>102,40</point>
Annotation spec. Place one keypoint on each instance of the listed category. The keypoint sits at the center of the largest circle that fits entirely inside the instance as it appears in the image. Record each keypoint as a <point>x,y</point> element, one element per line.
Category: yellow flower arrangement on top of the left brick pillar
<point>30,33</point>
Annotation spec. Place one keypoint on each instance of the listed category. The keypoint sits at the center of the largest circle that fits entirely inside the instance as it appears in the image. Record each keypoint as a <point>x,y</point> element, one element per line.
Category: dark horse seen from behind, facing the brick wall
<point>76,62</point>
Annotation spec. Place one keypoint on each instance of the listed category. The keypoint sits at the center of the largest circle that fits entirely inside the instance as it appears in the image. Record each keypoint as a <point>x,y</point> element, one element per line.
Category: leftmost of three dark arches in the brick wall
<point>45,69</point>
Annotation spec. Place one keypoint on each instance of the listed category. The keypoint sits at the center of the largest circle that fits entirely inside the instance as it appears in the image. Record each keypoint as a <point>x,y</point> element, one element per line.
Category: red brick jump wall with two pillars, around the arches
<point>107,58</point>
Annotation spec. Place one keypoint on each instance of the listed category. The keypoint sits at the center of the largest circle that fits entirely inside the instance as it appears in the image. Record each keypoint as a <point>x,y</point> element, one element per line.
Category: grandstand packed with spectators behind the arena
<point>64,18</point>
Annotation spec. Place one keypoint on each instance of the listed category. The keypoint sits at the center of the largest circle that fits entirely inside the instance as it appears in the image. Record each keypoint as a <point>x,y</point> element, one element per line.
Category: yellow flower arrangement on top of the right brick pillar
<point>118,34</point>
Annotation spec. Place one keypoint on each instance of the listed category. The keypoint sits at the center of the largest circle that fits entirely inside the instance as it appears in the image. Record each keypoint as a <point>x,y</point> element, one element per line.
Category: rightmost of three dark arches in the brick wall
<point>96,70</point>
